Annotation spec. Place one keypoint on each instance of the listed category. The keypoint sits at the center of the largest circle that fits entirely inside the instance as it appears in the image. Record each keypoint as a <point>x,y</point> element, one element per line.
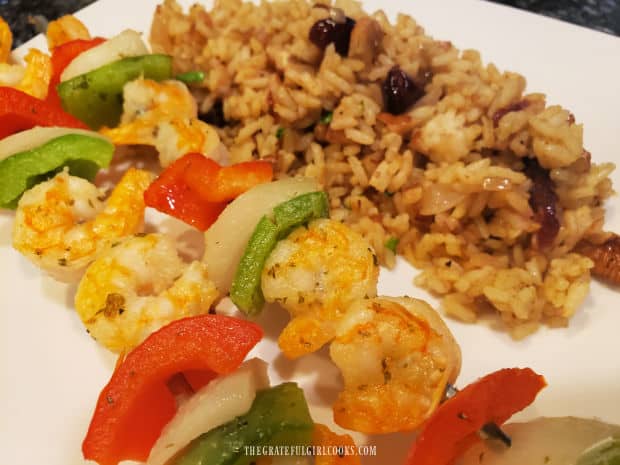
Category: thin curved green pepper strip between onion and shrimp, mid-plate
<point>246,292</point>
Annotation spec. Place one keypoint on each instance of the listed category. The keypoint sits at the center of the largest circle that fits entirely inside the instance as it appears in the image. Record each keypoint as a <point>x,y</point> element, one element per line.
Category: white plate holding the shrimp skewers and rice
<point>52,371</point>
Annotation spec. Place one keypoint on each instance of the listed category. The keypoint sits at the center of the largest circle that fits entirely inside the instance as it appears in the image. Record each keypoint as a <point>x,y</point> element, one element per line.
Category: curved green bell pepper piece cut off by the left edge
<point>83,155</point>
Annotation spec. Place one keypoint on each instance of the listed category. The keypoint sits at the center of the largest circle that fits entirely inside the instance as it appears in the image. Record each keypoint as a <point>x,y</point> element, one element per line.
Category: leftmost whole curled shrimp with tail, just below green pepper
<point>61,225</point>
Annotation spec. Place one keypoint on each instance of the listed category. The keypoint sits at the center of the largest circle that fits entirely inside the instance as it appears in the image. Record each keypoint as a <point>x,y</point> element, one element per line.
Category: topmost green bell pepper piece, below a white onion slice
<point>97,96</point>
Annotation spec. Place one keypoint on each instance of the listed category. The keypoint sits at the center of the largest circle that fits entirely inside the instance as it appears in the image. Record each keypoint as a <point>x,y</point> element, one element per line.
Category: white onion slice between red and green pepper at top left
<point>127,44</point>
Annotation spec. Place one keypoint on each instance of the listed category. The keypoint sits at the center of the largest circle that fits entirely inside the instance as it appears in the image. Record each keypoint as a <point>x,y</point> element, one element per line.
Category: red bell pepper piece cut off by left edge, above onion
<point>20,111</point>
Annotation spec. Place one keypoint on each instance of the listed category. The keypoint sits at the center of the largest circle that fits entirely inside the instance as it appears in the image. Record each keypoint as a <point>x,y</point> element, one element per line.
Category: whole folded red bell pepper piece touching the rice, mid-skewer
<point>195,188</point>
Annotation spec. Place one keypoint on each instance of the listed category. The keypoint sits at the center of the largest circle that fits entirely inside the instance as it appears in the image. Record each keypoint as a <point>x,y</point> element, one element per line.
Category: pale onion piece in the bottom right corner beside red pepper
<point>545,440</point>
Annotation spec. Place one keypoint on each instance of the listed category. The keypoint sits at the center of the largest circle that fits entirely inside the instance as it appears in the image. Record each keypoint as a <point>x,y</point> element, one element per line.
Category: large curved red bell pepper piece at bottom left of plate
<point>136,403</point>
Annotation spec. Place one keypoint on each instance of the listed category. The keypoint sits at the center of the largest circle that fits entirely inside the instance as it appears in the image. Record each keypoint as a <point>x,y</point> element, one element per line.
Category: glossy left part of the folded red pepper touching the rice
<point>170,194</point>
